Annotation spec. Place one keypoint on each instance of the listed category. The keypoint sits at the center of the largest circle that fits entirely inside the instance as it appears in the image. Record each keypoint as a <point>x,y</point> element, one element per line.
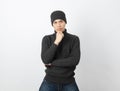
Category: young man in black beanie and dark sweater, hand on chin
<point>60,54</point>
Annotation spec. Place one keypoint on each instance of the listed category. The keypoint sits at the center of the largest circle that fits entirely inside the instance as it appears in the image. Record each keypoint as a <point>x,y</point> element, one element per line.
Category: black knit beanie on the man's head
<point>58,15</point>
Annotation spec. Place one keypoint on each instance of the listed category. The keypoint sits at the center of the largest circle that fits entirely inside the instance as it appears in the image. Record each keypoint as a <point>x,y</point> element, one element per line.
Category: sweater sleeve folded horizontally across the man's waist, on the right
<point>73,58</point>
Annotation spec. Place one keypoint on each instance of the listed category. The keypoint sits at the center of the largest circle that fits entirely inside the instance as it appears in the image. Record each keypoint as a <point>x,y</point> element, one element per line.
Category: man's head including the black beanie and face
<point>58,20</point>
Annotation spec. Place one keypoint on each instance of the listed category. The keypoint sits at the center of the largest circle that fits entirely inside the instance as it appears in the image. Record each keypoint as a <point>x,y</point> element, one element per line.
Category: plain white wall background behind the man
<point>23,23</point>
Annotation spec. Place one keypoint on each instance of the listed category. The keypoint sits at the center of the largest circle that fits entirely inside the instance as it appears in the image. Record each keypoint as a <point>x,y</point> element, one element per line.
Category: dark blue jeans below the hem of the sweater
<point>50,86</point>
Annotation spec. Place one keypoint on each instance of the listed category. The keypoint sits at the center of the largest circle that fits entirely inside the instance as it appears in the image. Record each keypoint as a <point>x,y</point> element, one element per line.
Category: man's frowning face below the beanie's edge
<point>59,25</point>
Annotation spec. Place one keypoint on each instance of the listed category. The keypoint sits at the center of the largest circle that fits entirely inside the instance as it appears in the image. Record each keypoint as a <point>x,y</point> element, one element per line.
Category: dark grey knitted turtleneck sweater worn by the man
<point>63,57</point>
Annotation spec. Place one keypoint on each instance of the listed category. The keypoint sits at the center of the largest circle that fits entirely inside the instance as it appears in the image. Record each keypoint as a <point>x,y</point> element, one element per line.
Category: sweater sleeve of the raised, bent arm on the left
<point>48,51</point>
